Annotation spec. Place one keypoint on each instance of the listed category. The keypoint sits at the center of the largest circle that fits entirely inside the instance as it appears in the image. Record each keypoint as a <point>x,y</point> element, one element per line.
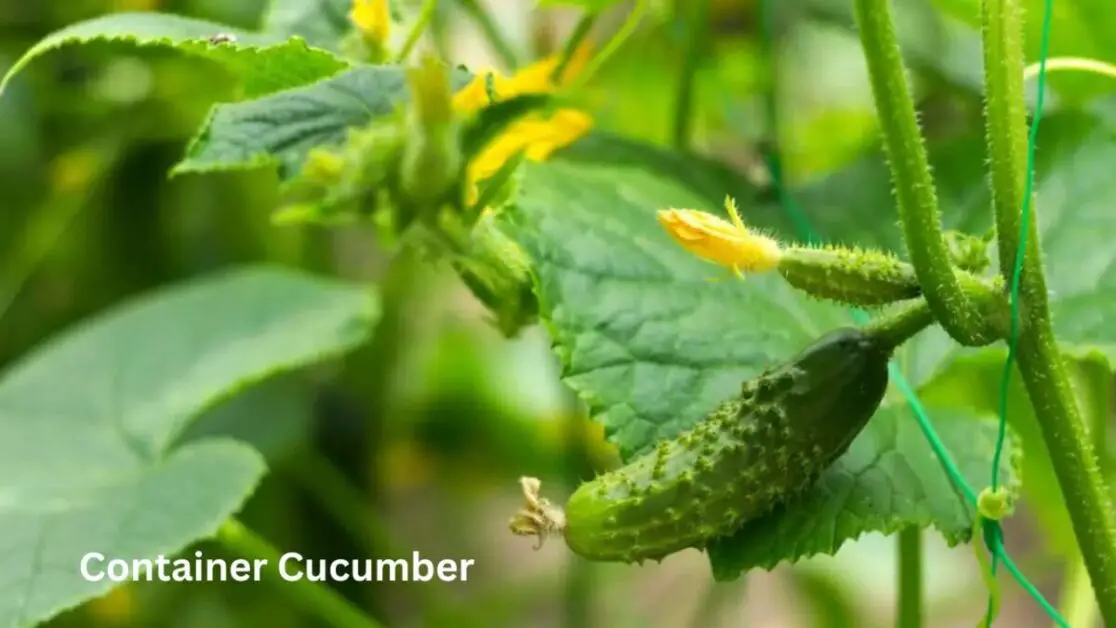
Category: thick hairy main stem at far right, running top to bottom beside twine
<point>1041,364</point>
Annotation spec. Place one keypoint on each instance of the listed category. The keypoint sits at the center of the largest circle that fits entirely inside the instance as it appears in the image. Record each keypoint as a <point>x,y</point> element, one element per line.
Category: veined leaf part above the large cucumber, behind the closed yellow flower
<point>644,336</point>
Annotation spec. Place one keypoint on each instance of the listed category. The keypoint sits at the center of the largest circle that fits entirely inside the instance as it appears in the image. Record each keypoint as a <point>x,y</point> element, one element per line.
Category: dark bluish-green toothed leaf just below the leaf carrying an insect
<point>282,129</point>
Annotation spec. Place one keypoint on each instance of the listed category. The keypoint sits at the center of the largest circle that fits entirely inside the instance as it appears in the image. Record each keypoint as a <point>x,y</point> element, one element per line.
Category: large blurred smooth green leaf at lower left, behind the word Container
<point>88,424</point>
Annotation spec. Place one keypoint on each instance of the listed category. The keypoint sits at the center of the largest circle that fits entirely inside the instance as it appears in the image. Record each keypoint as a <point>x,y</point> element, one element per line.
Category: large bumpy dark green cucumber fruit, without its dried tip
<point>743,460</point>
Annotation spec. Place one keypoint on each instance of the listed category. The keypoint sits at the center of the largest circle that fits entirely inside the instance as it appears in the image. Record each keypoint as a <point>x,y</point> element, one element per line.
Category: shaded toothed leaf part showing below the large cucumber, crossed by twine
<point>889,480</point>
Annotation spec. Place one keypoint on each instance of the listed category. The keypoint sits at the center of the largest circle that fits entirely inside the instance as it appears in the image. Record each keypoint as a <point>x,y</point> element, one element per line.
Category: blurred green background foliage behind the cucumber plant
<point>417,441</point>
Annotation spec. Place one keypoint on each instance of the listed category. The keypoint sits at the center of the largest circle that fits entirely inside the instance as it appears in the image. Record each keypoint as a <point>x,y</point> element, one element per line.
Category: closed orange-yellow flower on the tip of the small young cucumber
<point>717,240</point>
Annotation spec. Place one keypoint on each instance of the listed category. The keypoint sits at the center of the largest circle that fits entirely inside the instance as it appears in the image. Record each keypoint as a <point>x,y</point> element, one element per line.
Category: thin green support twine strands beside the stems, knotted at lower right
<point>992,505</point>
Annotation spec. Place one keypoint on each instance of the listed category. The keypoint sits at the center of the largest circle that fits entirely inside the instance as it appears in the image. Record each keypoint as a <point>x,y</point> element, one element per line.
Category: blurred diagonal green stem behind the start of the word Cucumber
<point>319,600</point>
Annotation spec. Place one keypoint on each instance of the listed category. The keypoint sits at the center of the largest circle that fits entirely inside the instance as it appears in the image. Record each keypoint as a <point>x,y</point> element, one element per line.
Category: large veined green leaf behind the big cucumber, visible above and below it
<point>652,346</point>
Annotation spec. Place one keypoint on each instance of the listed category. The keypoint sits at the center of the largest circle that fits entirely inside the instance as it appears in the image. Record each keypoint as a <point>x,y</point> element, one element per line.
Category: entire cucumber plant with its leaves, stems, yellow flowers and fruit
<point>748,414</point>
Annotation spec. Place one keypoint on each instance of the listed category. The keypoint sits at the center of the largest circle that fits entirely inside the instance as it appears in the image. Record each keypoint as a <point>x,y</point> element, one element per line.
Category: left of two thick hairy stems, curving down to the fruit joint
<point>910,167</point>
